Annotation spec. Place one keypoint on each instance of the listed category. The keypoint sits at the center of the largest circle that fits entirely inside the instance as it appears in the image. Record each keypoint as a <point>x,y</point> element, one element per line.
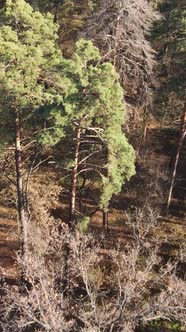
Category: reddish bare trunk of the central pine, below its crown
<point>74,177</point>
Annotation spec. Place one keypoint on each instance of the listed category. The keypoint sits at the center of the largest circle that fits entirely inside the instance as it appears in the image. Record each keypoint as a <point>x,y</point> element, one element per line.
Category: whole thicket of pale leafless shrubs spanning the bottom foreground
<point>72,284</point>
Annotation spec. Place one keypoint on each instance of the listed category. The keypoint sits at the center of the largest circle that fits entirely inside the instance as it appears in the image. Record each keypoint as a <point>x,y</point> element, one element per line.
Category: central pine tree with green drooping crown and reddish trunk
<point>93,108</point>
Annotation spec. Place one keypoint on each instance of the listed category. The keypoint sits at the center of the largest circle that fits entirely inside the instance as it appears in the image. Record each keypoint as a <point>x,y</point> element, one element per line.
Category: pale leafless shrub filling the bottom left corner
<point>39,305</point>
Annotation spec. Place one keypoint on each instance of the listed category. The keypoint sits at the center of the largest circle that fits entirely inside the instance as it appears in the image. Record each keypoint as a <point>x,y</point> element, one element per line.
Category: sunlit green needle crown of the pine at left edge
<point>28,53</point>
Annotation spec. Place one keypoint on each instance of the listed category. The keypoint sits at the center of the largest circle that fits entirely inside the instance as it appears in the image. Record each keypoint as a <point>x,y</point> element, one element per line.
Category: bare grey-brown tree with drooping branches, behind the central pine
<point>121,30</point>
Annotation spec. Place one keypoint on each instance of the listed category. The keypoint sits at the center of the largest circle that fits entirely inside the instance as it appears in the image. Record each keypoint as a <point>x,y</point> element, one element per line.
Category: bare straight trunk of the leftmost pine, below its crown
<point>19,187</point>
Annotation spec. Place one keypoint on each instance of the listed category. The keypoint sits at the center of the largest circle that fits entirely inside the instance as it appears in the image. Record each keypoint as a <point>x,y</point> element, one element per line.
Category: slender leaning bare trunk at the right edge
<point>180,144</point>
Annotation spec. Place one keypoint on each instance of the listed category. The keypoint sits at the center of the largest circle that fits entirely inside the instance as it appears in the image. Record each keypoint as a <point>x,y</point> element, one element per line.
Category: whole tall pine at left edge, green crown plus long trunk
<point>28,58</point>
